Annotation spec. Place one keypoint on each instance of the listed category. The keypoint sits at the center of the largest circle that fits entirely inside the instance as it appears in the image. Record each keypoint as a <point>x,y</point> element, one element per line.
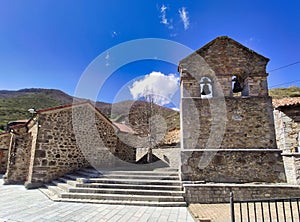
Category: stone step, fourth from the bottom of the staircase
<point>129,186</point>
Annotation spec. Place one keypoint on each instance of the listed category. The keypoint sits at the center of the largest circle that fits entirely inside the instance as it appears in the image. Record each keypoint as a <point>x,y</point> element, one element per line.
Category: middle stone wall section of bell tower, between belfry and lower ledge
<point>248,123</point>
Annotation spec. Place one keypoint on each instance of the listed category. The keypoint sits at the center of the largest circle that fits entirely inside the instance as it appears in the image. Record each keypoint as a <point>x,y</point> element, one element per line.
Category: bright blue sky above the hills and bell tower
<point>49,44</point>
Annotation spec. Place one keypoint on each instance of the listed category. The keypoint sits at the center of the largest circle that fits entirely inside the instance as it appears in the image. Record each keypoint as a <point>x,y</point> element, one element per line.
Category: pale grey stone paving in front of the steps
<point>19,204</point>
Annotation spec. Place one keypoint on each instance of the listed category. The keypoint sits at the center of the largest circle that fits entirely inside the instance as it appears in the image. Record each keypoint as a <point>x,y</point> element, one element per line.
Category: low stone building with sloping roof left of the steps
<point>48,145</point>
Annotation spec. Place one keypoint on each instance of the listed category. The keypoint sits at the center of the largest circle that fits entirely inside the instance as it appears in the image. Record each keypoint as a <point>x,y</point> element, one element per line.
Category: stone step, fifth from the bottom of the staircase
<point>132,181</point>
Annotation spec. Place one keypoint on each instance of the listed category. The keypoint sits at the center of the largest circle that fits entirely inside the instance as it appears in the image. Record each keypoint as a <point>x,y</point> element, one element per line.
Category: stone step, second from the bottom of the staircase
<point>123,197</point>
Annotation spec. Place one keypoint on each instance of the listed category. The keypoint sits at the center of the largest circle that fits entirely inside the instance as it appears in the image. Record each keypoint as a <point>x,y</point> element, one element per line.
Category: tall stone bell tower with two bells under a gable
<point>227,122</point>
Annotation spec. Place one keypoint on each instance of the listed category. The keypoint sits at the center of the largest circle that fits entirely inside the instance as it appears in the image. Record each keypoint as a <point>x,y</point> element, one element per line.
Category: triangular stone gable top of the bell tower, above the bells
<point>225,56</point>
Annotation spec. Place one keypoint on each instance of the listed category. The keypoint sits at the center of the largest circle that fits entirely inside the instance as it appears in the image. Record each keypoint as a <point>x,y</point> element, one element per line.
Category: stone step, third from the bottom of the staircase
<point>124,191</point>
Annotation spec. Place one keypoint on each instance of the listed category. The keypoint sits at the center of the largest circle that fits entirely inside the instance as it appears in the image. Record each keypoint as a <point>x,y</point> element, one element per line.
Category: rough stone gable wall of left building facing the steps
<point>72,138</point>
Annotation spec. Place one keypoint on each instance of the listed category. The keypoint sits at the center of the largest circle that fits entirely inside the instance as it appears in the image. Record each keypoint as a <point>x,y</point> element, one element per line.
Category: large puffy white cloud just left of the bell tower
<point>162,86</point>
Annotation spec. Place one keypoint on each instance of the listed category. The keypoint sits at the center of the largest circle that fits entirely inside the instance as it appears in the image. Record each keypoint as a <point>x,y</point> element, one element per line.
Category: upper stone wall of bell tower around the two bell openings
<point>221,59</point>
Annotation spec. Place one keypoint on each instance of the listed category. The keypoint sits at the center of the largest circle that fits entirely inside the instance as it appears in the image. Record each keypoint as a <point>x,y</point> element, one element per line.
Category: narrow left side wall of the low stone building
<point>18,157</point>
